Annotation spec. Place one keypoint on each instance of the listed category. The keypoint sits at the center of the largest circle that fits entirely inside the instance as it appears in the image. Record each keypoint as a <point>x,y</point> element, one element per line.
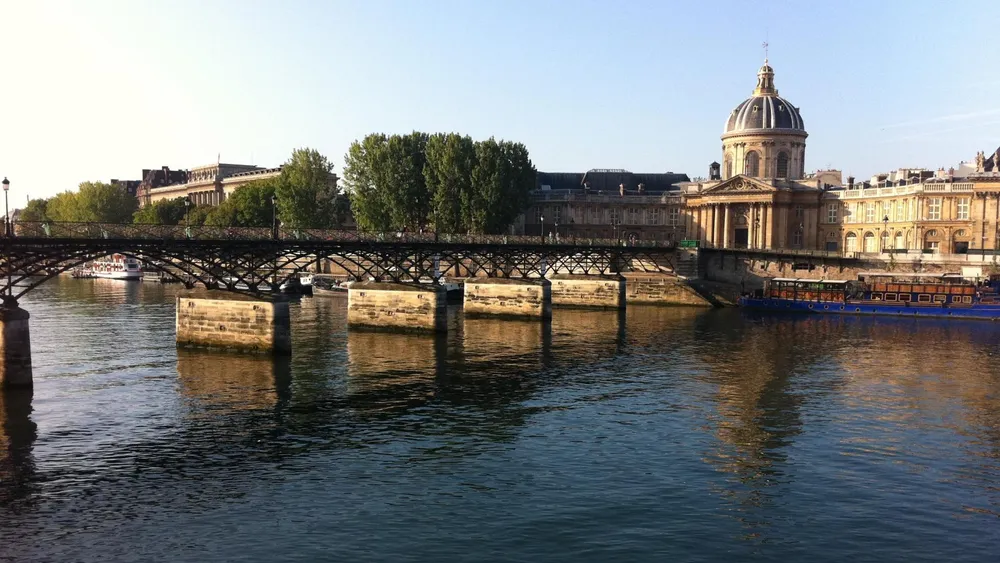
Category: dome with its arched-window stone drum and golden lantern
<point>765,135</point>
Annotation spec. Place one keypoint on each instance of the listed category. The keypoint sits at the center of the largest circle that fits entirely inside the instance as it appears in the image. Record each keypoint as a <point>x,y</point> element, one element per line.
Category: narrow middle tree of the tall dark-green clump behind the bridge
<point>448,175</point>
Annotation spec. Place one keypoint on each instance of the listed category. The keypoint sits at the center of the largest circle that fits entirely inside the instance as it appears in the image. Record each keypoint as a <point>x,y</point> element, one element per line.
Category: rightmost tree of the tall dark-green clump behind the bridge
<point>502,180</point>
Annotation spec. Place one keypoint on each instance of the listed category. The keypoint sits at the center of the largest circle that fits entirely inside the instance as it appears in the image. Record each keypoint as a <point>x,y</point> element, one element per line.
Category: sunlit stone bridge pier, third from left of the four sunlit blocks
<point>505,297</point>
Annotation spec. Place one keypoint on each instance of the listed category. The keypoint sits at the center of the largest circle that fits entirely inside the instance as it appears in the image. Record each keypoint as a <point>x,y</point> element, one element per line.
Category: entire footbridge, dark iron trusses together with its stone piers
<point>398,276</point>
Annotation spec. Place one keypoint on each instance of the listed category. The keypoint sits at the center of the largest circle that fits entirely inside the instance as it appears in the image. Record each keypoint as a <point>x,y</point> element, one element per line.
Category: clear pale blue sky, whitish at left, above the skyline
<point>95,90</point>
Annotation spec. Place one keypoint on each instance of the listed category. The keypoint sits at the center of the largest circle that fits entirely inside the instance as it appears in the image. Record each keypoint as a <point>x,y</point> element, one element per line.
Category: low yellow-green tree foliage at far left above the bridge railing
<point>95,202</point>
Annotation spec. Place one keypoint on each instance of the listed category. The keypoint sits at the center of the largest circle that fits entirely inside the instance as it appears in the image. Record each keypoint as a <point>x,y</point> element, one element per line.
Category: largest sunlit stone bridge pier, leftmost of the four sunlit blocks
<point>236,322</point>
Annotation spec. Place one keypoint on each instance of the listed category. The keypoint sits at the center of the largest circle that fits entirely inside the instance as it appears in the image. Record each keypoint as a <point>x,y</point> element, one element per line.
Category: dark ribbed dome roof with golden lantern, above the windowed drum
<point>765,109</point>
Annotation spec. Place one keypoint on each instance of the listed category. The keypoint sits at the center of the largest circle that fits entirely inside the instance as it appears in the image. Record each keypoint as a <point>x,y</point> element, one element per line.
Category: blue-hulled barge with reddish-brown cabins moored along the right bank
<point>899,295</point>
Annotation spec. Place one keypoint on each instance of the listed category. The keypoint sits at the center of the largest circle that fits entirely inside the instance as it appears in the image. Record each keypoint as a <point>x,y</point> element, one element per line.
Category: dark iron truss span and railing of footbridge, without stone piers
<point>255,260</point>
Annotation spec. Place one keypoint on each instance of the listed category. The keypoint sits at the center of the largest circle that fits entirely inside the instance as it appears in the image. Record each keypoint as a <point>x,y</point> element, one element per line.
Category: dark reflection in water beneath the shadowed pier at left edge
<point>18,433</point>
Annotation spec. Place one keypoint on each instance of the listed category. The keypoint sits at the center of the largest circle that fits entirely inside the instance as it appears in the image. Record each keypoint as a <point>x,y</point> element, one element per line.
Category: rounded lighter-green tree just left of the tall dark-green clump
<point>306,191</point>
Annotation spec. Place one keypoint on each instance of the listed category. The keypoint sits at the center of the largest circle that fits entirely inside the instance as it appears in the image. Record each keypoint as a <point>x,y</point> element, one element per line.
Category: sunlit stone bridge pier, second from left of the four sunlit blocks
<point>398,307</point>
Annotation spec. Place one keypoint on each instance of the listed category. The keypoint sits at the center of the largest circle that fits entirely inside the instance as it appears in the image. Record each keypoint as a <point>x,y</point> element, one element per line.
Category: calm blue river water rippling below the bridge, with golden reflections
<point>658,434</point>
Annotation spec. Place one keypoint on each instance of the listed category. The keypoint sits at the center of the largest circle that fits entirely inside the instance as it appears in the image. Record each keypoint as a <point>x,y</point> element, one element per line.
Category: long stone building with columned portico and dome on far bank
<point>760,197</point>
